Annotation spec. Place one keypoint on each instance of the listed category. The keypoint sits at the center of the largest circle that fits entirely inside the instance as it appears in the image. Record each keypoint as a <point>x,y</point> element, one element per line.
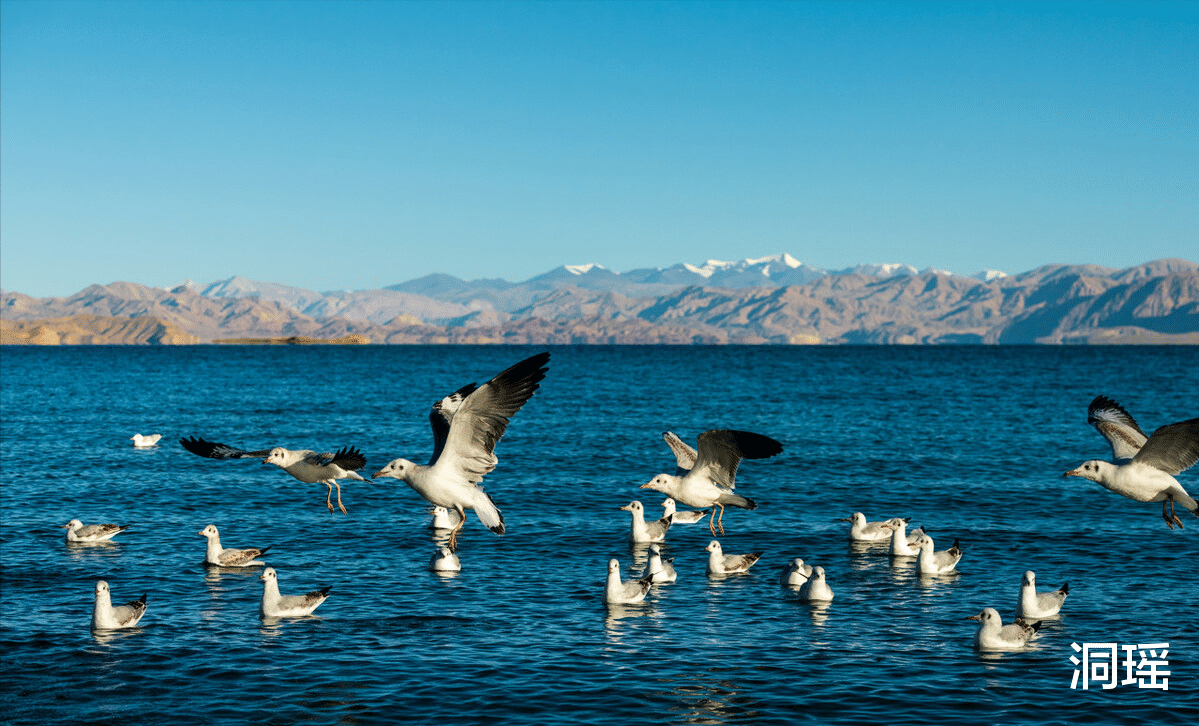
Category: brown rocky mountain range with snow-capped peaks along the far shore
<point>774,300</point>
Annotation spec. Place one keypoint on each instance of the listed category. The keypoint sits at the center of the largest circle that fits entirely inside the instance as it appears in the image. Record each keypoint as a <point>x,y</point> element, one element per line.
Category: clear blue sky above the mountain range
<point>354,146</point>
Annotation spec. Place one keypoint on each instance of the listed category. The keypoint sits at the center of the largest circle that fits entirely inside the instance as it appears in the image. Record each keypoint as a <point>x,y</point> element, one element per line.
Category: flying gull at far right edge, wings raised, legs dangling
<point>1143,468</point>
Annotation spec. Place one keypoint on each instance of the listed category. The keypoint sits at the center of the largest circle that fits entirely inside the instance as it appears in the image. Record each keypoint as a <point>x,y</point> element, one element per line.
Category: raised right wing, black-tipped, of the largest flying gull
<point>483,418</point>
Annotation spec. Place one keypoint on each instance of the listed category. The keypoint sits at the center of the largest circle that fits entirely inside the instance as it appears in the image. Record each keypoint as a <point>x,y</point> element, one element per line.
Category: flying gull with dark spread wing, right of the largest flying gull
<point>710,482</point>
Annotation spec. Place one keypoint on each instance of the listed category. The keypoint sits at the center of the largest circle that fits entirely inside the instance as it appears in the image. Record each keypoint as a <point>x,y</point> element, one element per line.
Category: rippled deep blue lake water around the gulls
<point>969,441</point>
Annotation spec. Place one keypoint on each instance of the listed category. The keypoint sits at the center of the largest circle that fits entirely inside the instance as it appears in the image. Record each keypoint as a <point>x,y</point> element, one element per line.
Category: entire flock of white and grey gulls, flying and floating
<point>469,423</point>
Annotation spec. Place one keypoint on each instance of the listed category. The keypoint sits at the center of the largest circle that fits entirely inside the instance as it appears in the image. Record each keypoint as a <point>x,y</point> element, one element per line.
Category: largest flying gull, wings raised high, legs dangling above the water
<point>467,426</point>
